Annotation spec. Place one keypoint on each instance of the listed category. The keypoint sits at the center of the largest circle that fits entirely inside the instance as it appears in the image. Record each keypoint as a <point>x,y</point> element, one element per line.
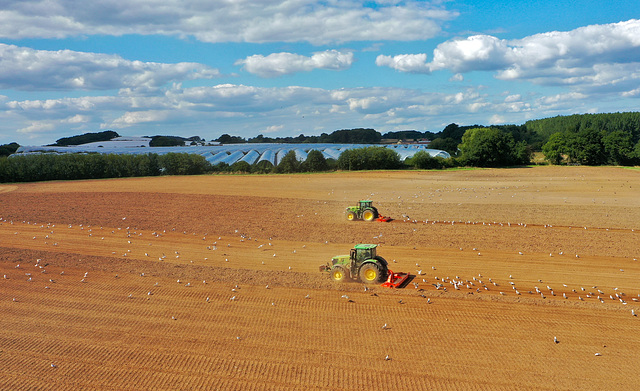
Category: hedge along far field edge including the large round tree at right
<point>480,147</point>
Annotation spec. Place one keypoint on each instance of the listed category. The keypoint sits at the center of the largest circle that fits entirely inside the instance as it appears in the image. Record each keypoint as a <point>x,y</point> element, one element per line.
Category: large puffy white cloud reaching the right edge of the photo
<point>597,57</point>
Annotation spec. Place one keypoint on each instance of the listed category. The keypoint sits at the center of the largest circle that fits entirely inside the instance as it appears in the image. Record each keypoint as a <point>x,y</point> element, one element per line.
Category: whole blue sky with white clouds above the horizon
<point>286,67</point>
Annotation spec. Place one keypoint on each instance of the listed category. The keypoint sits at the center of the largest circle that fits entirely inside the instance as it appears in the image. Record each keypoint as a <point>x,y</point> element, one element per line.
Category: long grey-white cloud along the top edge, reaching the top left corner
<point>318,22</point>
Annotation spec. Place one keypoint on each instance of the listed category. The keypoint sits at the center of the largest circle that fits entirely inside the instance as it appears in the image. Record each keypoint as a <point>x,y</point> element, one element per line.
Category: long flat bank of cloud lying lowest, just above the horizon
<point>247,110</point>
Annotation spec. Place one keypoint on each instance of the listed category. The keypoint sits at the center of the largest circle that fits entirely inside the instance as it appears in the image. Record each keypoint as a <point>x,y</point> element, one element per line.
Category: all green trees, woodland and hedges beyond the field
<point>589,139</point>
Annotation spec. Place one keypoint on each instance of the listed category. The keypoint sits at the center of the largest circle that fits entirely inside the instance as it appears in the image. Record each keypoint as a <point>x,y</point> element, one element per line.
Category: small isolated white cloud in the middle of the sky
<point>279,64</point>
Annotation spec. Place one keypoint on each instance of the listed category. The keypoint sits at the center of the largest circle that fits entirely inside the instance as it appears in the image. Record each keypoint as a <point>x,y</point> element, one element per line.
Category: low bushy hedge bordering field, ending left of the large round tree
<point>47,167</point>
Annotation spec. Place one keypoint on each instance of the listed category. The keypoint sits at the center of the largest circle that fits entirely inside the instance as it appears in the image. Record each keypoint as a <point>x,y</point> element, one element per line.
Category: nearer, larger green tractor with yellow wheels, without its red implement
<point>361,264</point>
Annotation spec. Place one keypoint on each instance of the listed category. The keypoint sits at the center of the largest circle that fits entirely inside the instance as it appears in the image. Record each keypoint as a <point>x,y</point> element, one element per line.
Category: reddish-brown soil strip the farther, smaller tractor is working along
<point>263,217</point>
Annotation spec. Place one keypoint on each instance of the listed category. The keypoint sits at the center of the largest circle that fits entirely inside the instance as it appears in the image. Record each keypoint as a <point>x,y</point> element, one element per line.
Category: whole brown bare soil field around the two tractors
<point>522,279</point>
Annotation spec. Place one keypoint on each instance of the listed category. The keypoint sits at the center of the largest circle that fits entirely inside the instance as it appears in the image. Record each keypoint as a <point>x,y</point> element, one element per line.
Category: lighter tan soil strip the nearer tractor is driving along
<point>199,255</point>
